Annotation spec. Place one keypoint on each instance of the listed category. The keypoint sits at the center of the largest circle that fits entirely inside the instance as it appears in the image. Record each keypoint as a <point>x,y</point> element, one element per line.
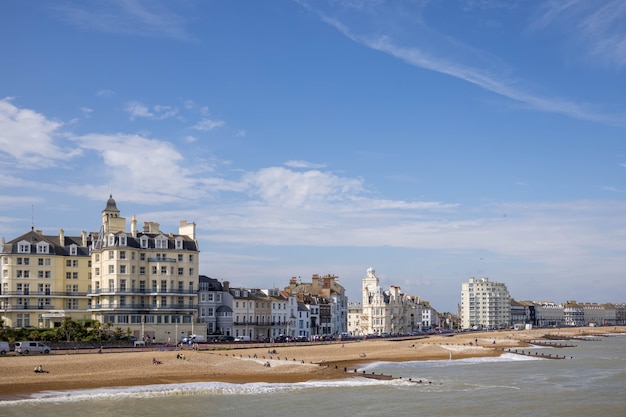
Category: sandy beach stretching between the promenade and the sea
<point>293,363</point>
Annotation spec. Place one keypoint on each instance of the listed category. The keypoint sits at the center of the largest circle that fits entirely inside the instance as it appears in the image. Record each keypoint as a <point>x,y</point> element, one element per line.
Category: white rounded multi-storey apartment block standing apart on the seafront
<point>485,304</point>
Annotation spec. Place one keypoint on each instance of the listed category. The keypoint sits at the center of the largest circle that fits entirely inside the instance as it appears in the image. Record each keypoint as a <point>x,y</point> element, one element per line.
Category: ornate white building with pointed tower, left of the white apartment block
<point>388,312</point>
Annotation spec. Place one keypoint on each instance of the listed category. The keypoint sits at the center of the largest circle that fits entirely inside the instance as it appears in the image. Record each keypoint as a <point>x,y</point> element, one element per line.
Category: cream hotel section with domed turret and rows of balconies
<point>144,282</point>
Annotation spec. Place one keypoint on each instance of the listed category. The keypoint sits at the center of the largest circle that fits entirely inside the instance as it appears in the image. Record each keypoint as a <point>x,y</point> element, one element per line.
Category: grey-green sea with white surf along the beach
<point>591,381</point>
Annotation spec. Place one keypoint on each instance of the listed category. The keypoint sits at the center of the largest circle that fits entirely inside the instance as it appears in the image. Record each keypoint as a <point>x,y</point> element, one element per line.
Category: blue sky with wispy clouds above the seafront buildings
<point>431,140</point>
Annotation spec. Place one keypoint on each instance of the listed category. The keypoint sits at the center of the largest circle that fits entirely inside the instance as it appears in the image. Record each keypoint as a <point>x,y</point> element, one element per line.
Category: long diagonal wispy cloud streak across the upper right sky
<point>450,56</point>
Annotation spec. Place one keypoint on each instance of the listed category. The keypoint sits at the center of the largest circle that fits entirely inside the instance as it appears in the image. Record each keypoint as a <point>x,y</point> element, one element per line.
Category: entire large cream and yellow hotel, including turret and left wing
<point>143,282</point>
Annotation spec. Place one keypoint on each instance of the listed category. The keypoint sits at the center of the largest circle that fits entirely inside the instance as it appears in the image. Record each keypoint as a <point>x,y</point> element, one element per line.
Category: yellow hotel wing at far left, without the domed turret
<point>45,279</point>
